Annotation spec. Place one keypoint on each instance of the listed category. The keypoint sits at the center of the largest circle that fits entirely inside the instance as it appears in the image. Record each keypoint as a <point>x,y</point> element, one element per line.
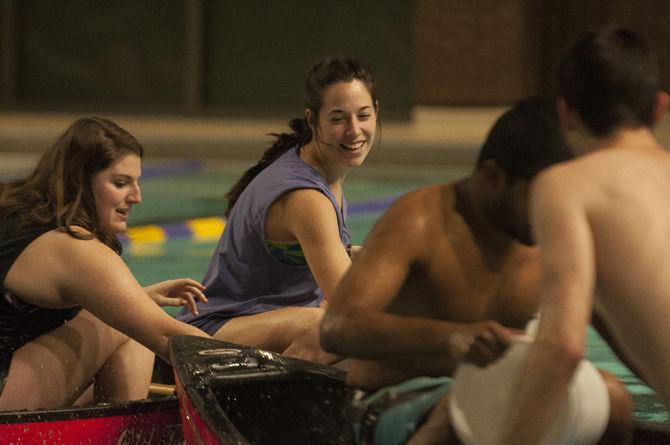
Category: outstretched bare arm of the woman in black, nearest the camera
<point>57,270</point>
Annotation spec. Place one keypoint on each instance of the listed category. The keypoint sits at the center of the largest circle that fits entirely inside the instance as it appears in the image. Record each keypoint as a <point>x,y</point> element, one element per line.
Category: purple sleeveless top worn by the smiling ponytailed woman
<point>243,278</point>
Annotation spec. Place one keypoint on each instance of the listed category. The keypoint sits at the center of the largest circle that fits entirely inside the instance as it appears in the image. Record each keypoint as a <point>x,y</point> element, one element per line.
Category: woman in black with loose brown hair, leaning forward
<point>71,313</point>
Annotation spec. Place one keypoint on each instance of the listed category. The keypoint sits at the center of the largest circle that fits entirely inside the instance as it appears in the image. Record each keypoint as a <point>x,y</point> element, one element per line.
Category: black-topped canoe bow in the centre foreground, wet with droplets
<point>232,394</point>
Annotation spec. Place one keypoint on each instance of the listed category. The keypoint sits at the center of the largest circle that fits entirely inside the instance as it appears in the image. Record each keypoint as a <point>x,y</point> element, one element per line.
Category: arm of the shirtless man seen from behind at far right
<point>563,233</point>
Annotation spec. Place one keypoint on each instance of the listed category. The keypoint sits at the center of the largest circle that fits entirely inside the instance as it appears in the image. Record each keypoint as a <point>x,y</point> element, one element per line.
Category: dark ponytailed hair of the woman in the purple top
<point>325,73</point>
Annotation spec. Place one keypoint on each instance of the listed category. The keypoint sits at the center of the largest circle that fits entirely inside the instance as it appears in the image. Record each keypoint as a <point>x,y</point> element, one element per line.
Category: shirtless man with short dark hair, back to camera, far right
<point>602,222</point>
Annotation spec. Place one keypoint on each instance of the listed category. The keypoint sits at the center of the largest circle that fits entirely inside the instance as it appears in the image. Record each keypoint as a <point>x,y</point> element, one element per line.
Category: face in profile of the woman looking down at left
<point>115,190</point>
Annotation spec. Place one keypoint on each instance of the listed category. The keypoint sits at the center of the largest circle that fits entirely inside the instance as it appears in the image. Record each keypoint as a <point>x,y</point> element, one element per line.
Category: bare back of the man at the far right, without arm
<point>623,193</point>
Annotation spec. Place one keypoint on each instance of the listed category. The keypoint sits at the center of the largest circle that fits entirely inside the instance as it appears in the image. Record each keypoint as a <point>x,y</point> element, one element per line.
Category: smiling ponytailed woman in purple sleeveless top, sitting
<point>286,245</point>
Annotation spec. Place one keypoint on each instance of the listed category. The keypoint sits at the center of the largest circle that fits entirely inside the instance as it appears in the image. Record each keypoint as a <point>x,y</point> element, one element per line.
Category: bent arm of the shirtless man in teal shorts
<point>356,323</point>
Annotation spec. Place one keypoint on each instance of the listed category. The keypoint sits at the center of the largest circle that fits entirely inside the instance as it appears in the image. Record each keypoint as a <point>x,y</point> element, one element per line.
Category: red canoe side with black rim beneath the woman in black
<point>154,421</point>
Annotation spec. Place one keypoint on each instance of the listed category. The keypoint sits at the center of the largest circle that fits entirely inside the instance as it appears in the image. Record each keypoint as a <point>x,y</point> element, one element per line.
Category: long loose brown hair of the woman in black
<point>59,191</point>
